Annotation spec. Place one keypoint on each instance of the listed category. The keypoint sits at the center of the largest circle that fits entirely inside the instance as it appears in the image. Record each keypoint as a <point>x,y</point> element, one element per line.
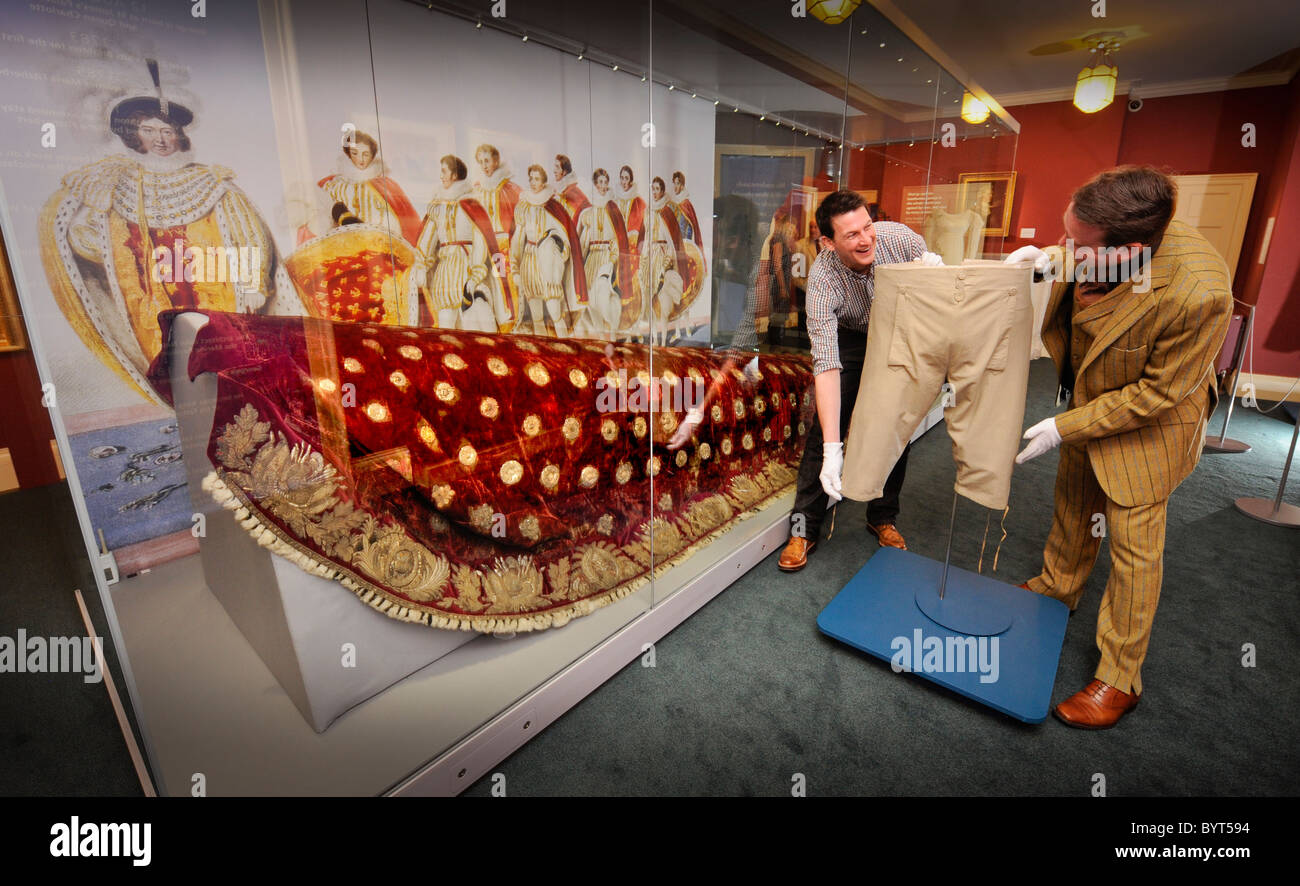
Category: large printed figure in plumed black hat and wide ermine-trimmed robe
<point>151,229</point>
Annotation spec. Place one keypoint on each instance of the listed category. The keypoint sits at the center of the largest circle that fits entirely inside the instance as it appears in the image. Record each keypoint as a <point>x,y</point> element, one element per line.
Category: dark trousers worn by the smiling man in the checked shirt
<point>811,500</point>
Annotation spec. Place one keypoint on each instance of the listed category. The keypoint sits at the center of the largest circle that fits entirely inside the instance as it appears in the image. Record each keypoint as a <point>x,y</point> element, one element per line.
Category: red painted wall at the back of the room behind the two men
<point>1059,149</point>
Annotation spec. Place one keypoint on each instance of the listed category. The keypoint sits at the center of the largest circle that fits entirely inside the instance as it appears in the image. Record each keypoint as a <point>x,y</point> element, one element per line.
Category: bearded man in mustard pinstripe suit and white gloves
<point>1138,354</point>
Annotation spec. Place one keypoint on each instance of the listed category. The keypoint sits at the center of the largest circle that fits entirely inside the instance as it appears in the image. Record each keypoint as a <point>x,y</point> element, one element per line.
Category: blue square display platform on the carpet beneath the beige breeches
<point>1006,657</point>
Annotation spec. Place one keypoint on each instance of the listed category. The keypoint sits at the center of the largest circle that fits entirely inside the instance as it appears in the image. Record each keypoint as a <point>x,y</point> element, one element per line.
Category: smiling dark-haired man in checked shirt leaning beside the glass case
<point>840,288</point>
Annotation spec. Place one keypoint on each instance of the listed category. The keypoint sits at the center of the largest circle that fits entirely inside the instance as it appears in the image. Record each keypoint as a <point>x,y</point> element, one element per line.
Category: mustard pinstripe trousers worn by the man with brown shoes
<point>1137,566</point>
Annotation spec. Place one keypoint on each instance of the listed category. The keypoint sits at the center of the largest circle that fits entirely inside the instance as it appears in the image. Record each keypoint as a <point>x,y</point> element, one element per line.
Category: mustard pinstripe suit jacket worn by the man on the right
<point>1146,388</point>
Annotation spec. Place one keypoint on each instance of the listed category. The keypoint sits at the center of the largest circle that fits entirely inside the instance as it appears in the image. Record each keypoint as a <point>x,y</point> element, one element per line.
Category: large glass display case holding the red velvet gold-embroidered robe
<point>371,331</point>
